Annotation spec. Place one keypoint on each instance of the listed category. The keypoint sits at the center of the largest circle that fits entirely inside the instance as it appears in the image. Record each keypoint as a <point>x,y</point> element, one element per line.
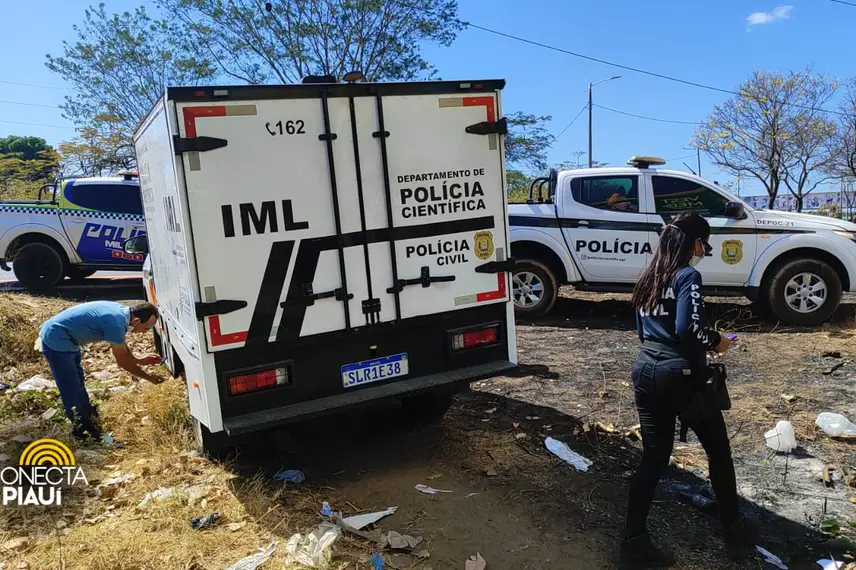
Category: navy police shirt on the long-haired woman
<point>678,320</point>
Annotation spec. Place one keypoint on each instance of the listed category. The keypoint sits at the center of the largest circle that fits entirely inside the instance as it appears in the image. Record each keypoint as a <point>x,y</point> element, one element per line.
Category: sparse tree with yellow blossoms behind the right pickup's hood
<point>771,130</point>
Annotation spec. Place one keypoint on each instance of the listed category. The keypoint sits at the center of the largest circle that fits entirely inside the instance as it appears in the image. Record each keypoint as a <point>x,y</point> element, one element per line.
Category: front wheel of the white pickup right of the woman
<point>804,292</point>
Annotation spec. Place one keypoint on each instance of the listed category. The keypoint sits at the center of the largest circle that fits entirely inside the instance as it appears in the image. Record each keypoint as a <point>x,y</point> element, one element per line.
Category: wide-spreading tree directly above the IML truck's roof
<point>381,38</point>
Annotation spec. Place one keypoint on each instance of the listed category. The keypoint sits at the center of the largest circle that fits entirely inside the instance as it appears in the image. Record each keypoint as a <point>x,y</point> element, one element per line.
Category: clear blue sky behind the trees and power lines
<point>715,43</point>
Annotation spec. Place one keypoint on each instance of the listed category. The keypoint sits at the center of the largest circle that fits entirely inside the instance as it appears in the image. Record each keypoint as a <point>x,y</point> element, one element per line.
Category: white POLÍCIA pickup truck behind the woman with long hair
<point>596,229</point>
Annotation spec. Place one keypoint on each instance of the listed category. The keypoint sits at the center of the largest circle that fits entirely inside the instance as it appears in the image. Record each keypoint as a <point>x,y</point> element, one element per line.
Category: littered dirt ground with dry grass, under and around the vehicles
<point>510,500</point>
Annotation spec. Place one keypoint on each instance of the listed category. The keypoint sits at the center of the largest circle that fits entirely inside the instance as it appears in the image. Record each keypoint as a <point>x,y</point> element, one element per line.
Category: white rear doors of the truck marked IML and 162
<point>318,209</point>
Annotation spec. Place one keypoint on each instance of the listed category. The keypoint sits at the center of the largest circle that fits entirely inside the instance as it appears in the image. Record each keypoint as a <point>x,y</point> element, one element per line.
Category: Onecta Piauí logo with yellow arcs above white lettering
<point>45,466</point>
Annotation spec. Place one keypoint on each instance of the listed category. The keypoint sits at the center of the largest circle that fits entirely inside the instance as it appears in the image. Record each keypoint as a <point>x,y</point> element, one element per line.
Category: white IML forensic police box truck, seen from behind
<point>320,245</point>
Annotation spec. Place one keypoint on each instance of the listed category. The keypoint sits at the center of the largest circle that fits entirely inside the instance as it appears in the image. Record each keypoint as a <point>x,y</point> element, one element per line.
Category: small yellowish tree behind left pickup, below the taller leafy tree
<point>98,150</point>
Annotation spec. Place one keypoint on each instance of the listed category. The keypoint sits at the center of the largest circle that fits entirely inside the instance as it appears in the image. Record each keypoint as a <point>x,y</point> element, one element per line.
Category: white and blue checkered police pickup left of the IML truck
<point>75,228</point>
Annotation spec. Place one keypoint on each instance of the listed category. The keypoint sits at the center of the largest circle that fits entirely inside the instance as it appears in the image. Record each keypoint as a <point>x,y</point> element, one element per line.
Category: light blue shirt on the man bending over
<point>86,323</point>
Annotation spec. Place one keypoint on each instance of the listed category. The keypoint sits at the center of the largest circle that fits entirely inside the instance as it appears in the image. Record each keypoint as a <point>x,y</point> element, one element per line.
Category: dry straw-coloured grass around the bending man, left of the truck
<point>102,527</point>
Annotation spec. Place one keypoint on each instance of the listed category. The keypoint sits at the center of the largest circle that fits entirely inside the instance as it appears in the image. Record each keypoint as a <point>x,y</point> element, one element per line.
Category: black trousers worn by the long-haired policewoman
<point>663,385</point>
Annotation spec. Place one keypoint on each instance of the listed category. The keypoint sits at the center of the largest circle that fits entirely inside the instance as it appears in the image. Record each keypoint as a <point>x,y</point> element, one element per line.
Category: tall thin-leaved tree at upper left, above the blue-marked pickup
<point>120,65</point>
